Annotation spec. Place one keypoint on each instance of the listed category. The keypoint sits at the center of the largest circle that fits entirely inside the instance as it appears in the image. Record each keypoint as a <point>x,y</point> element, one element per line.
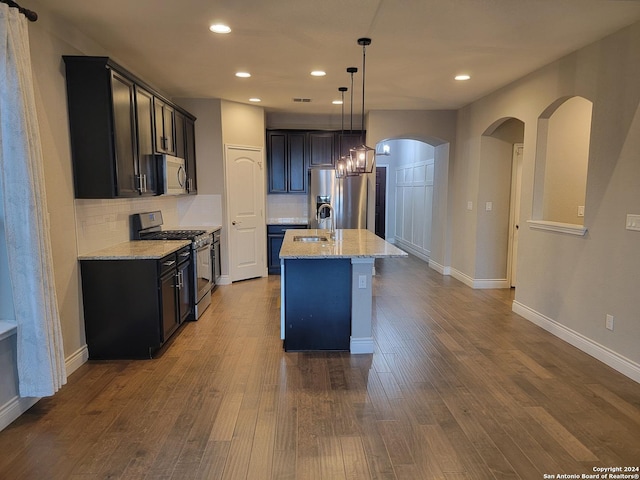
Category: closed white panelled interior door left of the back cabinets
<point>245,208</point>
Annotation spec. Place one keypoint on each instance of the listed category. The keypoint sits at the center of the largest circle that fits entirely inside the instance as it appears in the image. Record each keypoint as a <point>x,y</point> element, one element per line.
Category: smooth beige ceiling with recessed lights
<point>417,47</point>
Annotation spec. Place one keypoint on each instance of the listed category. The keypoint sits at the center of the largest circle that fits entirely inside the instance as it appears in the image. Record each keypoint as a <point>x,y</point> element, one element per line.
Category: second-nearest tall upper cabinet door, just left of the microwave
<point>147,171</point>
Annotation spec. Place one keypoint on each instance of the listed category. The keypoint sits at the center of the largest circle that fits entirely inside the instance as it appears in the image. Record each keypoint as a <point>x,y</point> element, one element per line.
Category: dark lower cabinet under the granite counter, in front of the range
<point>133,306</point>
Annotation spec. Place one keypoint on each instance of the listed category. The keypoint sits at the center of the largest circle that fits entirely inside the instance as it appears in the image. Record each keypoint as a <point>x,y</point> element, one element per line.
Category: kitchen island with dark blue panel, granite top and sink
<point>326,291</point>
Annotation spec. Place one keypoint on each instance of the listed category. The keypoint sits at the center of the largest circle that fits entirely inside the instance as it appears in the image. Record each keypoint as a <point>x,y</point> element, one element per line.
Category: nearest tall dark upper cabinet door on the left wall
<point>124,135</point>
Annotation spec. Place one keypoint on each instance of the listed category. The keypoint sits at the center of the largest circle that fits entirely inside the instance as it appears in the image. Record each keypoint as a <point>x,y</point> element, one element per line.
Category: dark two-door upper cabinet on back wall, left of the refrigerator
<point>287,161</point>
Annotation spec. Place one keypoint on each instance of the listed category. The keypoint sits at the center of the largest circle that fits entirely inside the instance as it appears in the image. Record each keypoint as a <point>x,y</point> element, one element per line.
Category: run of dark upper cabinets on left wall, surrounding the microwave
<point>118,126</point>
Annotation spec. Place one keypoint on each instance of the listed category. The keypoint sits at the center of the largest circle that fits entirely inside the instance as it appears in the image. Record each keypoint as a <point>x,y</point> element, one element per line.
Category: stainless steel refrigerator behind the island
<point>347,196</point>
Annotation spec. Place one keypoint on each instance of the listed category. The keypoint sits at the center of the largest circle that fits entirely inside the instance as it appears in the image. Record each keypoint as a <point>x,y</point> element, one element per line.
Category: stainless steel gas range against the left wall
<point>148,226</point>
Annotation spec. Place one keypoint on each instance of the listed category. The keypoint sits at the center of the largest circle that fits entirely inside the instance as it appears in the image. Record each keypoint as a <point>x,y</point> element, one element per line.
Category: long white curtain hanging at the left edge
<point>41,369</point>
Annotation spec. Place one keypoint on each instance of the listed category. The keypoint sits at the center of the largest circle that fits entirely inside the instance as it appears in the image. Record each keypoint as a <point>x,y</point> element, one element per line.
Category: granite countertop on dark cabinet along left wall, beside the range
<point>137,250</point>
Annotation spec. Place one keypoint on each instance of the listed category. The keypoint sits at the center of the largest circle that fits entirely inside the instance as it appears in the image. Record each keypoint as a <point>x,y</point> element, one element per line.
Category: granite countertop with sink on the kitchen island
<point>349,243</point>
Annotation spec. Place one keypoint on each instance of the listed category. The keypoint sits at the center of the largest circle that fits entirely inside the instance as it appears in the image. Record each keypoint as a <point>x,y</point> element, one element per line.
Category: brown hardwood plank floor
<point>459,387</point>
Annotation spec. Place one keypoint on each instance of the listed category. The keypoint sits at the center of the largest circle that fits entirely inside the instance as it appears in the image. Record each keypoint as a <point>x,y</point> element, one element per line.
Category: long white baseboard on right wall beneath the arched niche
<point>608,357</point>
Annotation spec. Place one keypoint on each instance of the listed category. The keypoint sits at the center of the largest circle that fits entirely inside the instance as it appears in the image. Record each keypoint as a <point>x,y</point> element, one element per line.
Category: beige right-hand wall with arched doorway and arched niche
<point>569,280</point>
